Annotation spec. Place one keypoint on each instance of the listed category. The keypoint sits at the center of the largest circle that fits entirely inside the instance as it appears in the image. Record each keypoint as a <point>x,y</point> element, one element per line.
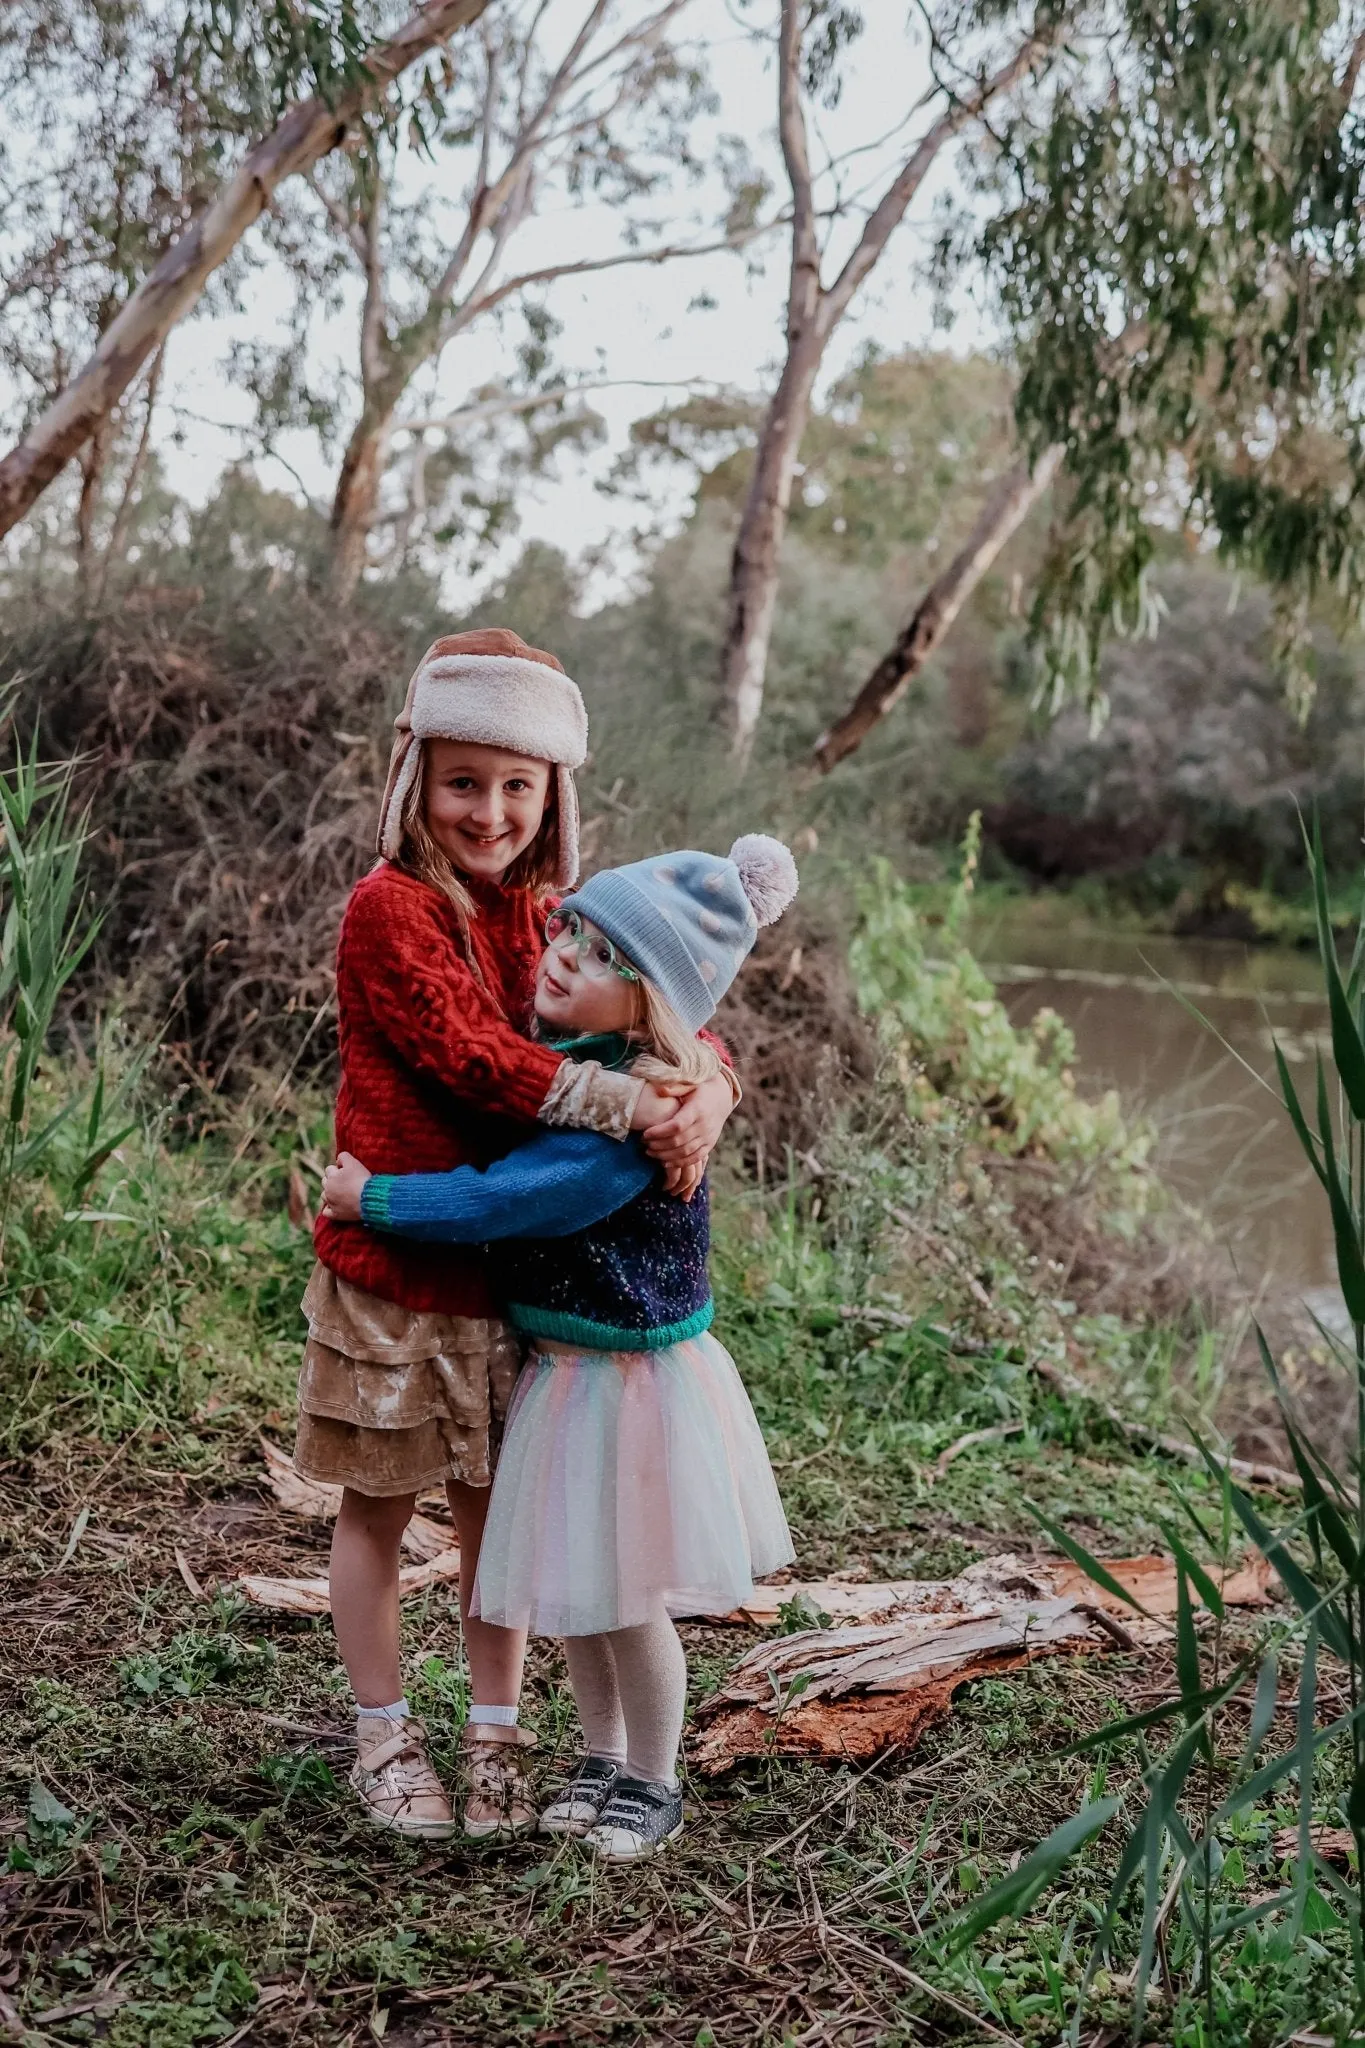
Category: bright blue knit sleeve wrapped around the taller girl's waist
<point>554,1187</point>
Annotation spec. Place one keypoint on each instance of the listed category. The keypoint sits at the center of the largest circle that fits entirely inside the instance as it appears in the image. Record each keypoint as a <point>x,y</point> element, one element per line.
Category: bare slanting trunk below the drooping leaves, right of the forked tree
<point>1008,505</point>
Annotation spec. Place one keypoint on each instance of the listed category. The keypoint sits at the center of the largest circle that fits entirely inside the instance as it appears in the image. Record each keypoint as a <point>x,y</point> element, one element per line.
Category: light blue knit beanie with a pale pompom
<point>689,921</point>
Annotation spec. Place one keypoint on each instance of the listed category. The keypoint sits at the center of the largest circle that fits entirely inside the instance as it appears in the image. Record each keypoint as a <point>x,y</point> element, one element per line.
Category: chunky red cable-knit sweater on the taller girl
<point>433,1074</point>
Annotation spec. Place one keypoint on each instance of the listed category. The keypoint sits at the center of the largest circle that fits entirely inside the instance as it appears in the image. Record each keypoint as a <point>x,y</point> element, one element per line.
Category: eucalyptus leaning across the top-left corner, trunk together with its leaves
<point>322,81</point>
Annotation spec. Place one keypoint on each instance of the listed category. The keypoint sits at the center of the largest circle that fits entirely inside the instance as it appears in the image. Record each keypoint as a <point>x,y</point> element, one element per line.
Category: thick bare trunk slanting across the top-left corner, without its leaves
<point>171,290</point>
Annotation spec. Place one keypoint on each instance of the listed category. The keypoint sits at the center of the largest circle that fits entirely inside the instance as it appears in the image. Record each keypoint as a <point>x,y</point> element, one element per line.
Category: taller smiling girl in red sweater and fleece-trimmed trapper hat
<point>410,1363</point>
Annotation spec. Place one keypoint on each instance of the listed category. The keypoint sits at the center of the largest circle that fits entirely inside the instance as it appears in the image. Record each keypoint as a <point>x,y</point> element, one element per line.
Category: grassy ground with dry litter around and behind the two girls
<point>185,1863</point>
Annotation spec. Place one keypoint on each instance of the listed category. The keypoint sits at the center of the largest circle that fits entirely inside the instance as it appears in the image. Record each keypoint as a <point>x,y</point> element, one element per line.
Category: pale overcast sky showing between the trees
<point>635,323</point>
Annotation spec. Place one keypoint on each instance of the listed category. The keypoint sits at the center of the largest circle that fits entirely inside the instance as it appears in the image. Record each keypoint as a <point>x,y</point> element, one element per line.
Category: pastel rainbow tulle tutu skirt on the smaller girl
<point>629,1480</point>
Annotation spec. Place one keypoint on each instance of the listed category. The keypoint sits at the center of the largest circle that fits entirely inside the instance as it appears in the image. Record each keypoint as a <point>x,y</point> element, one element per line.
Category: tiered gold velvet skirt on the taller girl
<point>398,1400</point>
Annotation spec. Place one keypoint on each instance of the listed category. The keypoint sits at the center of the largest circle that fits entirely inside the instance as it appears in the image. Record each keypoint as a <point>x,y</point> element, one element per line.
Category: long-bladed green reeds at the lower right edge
<point>1182,1818</point>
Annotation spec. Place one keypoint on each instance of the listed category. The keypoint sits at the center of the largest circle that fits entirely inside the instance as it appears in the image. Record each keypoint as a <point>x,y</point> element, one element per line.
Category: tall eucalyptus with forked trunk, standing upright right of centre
<point>977,69</point>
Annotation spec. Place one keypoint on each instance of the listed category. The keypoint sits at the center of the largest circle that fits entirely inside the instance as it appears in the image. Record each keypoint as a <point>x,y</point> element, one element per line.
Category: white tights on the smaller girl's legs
<point>631,1693</point>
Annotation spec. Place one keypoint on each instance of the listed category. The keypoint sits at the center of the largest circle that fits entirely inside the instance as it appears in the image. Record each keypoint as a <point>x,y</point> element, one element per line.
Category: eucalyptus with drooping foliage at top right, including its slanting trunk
<point>1174,237</point>
